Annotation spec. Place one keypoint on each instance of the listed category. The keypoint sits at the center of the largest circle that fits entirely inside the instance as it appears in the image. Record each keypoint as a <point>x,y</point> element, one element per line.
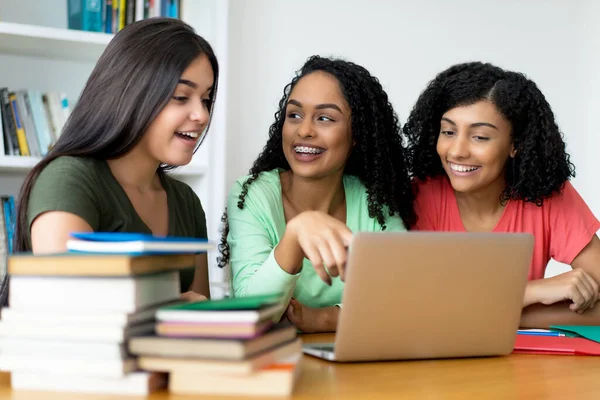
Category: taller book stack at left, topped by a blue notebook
<point>70,315</point>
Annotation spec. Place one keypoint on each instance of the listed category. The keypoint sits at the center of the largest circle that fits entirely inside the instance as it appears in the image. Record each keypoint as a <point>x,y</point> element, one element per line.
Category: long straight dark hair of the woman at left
<point>131,83</point>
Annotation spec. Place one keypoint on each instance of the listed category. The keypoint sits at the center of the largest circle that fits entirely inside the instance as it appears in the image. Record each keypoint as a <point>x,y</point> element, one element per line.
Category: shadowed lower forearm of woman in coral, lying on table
<point>541,316</point>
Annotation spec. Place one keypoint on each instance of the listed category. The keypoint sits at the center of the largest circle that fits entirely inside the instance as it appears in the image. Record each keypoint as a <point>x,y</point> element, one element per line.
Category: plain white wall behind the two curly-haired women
<point>405,43</point>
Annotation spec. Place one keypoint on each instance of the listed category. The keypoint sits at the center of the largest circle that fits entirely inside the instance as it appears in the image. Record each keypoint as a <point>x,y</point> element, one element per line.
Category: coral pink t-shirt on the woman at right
<point>562,226</point>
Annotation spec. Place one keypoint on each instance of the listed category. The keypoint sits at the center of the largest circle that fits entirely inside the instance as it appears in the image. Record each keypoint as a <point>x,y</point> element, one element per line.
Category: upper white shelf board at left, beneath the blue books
<point>42,41</point>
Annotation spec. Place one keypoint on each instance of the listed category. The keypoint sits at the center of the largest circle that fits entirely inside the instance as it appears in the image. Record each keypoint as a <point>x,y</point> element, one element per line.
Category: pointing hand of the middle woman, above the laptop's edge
<point>320,238</point>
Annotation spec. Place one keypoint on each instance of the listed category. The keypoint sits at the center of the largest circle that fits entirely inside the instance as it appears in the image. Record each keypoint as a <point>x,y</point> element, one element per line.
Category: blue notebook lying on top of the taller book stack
<point>135,243</point>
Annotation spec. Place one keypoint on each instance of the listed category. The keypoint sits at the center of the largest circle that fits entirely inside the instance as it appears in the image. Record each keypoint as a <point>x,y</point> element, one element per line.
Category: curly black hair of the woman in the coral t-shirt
<point>541,165</point>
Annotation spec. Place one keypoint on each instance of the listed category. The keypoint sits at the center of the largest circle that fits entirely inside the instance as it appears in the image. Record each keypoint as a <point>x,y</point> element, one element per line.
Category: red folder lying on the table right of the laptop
<point>532,344</point>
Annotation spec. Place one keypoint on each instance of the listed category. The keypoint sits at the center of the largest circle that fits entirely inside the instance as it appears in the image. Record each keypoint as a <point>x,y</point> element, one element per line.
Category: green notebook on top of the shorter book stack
<point>235,303</point>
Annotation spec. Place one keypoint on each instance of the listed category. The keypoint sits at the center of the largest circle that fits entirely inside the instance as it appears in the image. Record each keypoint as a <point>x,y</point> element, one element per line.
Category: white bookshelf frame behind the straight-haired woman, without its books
<point>38,52</point>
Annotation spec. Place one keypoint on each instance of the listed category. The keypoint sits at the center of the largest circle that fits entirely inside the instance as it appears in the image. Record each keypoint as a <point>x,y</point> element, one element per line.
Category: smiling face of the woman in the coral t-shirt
<point>474,145</point>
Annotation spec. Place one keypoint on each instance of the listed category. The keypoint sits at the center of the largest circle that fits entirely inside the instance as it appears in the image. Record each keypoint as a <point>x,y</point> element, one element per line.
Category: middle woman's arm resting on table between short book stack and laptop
<point>312,320</point>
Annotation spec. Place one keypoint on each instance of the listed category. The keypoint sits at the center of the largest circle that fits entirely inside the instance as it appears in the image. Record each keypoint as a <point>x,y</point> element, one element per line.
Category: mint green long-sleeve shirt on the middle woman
<point>255,230</point>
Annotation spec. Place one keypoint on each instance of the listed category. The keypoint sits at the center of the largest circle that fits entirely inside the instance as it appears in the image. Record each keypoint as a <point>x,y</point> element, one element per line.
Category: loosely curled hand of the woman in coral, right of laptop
<point>576,285</point>
